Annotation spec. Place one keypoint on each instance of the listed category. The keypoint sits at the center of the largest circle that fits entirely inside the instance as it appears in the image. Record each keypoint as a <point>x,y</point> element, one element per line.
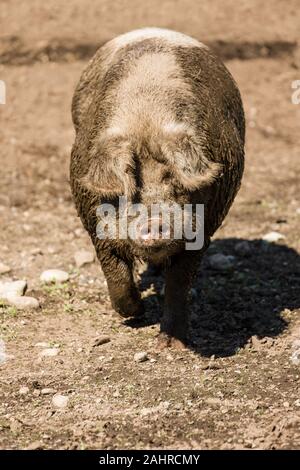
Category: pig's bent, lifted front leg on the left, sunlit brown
<point>124,295</point>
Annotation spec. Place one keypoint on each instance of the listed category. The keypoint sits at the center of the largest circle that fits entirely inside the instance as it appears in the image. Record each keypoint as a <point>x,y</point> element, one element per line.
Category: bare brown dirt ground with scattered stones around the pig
<point>236,385</point>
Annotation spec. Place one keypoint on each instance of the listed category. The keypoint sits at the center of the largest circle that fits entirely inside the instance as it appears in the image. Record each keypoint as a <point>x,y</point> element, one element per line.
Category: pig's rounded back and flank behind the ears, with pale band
<point>151,77</point>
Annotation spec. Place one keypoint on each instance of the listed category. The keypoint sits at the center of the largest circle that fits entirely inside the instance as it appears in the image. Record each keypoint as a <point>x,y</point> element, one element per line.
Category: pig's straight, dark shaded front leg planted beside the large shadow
<point>179,278</point>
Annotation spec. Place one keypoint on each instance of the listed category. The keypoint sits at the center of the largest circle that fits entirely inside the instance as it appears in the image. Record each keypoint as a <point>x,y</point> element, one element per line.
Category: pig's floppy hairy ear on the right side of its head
<point>189,164</point>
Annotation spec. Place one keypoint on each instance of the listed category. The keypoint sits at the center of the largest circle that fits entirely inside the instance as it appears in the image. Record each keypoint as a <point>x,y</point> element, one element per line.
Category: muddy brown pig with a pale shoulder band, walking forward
<point>158,119</point>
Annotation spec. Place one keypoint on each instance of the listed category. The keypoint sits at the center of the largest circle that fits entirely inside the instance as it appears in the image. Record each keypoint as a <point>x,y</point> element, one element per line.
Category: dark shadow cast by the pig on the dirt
<point>230,307</point>
